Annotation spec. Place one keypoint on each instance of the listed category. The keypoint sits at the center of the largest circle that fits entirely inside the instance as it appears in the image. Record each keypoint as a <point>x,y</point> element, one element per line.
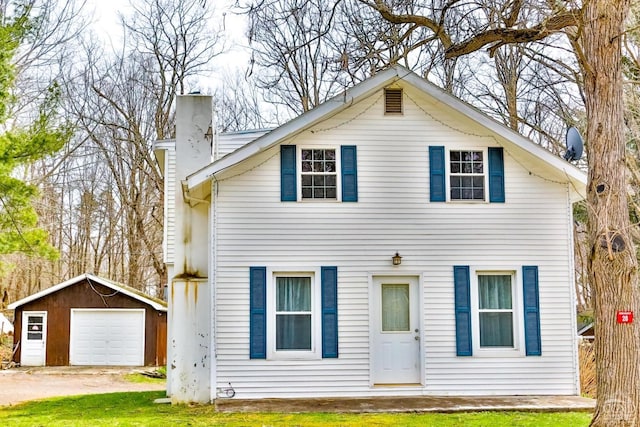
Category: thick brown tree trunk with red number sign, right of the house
<point>612,261</point>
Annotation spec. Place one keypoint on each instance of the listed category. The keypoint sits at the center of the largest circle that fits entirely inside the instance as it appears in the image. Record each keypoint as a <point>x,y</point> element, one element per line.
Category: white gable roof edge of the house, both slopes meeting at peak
<point>519,146</point>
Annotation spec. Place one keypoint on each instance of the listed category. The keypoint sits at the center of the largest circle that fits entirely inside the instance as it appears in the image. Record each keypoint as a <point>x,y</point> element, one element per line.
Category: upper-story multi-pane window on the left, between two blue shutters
<point>319,176</point>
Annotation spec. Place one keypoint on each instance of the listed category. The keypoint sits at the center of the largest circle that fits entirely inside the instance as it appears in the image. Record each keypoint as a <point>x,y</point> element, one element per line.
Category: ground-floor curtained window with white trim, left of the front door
<point>294,329</point>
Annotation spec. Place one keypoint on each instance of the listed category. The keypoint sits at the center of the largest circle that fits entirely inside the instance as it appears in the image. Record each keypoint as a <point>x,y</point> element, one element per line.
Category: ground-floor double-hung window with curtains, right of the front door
<point>495,310</point>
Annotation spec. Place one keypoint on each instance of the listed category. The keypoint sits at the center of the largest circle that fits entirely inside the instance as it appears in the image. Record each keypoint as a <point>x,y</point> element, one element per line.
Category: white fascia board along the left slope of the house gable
<point>293,127</point>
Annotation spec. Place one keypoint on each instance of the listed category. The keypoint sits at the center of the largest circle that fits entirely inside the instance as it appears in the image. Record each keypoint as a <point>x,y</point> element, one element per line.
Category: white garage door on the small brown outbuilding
<point>107,337</point>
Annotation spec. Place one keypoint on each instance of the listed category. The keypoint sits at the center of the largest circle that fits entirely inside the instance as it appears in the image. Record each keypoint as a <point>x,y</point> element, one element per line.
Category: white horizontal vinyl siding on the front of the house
<point>393,213</point>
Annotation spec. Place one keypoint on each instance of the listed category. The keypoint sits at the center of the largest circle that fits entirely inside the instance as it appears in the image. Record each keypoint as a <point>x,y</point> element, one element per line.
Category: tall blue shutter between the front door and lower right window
<point>463,310</point>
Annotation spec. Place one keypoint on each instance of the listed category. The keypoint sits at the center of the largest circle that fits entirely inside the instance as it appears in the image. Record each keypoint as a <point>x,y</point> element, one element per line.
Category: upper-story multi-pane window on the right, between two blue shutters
<point>466,175</point>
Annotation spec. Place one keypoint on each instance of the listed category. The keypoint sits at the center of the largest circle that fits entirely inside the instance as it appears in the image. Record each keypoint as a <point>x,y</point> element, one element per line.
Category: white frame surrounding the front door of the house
<point>416,280</point>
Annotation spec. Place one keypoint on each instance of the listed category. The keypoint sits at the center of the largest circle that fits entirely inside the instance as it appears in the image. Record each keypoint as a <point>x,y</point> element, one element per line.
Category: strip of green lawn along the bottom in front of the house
<point>138,409</point>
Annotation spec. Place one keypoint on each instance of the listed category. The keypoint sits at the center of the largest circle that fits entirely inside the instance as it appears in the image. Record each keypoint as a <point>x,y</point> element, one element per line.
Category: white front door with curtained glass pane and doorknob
<point>396,330</point>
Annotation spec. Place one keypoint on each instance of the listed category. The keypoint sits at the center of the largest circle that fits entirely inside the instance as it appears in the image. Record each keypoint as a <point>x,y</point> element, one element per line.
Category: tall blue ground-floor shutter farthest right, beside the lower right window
<point>531,310</point>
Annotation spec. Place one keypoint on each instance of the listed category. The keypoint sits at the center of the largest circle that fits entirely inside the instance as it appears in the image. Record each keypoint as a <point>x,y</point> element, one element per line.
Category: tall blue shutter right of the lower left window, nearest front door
<point>329,279</point>
